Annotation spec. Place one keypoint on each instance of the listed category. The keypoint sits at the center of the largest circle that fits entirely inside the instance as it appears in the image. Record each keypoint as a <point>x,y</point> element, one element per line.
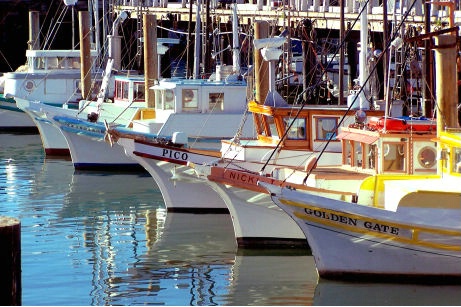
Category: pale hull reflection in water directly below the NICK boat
<point>273,277</point>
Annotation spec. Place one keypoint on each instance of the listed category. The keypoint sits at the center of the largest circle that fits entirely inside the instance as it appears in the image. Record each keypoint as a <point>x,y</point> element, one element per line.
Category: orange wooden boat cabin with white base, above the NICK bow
<point>303,131</point>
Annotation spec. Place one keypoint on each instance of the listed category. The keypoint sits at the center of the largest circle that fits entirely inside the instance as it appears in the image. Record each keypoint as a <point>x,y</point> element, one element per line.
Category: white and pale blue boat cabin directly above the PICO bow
<point>185,105</point>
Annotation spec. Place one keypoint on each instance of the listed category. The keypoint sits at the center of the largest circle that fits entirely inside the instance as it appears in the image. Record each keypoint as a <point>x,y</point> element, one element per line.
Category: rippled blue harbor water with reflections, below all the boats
<point>105,239</point>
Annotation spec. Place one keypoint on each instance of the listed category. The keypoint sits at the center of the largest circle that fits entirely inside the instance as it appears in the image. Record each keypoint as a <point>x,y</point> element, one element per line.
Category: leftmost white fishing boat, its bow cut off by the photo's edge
<point>51,76</point>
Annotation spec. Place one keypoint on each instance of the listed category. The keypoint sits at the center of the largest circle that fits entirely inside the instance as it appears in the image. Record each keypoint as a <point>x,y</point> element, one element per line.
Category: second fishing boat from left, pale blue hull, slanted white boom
<point>54,143</point>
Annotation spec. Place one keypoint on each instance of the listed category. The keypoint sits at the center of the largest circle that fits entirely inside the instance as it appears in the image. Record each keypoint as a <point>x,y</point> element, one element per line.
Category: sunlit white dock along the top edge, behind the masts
<point>326,16</point>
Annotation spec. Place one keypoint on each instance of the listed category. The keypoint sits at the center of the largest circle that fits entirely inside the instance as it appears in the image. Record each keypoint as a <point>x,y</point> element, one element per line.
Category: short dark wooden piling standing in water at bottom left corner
<point>10,262</point>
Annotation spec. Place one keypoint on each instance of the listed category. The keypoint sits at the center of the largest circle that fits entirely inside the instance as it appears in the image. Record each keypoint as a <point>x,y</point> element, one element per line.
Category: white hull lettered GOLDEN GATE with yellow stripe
<point>374,242</point>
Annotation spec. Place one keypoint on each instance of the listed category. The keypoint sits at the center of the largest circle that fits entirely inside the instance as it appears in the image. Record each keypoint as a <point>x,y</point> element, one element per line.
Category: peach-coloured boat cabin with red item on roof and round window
<point>406,146</point>
